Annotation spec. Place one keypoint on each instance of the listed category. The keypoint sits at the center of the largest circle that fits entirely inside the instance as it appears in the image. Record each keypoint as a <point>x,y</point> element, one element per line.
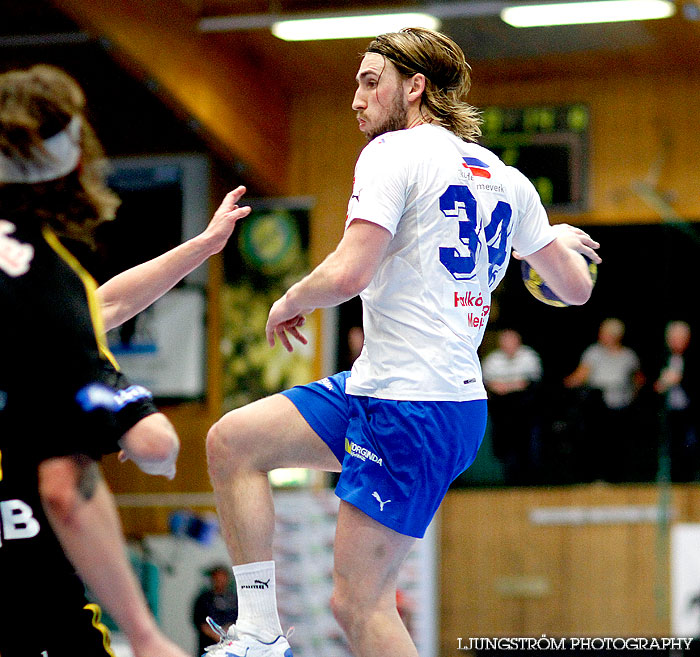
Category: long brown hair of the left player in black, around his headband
<point>36,104</point>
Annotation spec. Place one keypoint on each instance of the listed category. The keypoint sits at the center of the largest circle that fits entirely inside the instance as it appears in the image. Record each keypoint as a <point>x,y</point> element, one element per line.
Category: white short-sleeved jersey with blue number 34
<point>454,211</point>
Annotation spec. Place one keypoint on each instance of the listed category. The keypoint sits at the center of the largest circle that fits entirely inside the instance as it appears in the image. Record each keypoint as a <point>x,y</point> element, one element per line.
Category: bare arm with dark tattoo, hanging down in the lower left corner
<point>83,515</point>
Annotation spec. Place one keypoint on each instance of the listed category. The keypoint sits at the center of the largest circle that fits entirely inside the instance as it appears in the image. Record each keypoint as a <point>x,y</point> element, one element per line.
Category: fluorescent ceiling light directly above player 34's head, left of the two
<point>348,27</point>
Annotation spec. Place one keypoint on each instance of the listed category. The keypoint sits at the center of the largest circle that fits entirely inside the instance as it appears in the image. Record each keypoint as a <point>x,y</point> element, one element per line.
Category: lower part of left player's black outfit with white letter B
<point>45,611</point>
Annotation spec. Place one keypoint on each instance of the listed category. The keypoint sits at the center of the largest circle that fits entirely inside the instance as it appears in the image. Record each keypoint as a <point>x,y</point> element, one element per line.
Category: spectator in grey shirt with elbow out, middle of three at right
<point>613,374</point>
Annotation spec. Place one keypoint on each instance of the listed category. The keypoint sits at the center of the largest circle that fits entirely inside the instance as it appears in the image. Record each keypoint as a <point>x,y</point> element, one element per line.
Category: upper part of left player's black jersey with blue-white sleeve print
<point>59,385</point>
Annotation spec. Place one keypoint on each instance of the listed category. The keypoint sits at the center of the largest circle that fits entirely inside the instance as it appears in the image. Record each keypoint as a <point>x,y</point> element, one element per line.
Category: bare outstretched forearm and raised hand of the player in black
<point>130,292</point>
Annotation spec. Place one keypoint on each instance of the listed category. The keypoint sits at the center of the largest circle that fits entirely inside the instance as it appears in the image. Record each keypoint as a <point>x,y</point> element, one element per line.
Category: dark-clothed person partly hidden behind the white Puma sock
<point>219,602</point>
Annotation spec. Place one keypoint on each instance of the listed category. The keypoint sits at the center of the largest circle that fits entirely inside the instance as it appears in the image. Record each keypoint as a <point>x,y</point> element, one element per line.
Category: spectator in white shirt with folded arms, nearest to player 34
<point>511,374</point>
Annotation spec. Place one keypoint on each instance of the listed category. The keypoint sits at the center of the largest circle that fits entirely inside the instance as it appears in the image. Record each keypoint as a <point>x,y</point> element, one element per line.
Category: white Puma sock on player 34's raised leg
<point>257,600</point>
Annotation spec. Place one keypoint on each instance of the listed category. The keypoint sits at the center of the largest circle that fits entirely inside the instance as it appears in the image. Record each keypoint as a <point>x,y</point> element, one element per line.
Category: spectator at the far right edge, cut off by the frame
<point>676,385</point>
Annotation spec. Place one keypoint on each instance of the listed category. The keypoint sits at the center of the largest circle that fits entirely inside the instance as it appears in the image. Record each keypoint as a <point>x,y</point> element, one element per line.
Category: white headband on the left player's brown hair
<point>61,156</point>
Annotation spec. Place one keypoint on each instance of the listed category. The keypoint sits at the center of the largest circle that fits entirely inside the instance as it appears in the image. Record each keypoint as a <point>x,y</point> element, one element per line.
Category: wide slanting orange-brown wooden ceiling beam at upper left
<point>236,103</point>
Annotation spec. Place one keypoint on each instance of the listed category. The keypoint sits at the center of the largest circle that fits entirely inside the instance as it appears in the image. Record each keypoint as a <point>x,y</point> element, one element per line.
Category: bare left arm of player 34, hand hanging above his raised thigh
<point>341,276</point>
